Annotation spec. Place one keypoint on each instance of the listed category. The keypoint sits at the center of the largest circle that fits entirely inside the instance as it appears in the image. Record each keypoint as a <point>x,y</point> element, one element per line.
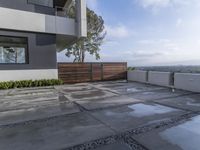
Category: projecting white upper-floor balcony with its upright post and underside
<point>67,29</point>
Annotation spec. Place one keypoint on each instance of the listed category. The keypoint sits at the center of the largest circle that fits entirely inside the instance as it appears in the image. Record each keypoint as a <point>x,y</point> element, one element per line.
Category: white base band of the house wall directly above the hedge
<point>17,75</point>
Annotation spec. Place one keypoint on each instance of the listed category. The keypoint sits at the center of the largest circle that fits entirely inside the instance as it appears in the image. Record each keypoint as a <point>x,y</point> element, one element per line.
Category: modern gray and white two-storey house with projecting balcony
<point>31,33</point>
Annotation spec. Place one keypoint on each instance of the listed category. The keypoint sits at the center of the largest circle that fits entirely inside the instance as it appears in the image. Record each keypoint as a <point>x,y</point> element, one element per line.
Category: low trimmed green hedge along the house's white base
<point>29,83</point>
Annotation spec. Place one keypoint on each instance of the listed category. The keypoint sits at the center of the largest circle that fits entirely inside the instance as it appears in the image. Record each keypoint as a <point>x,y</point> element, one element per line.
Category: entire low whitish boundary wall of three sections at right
<point>183,81</point>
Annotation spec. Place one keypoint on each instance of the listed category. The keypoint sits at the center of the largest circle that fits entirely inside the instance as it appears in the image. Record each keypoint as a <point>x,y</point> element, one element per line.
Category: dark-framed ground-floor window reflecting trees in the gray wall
<point>13,50</point>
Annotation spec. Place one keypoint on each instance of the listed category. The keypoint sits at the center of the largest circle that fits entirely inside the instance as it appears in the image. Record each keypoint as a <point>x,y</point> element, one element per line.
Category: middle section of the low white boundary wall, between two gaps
<point>160,78</point>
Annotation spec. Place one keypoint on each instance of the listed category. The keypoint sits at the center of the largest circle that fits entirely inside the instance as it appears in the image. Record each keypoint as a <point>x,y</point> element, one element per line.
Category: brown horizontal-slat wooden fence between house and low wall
<point>89,72</point>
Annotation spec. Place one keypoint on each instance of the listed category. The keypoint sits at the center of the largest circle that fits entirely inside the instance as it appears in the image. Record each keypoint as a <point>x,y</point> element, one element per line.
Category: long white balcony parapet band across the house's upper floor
<point>13,19</point>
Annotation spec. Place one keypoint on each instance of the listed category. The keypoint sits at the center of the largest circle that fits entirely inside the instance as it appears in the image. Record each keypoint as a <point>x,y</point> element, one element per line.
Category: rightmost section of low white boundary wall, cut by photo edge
<point>187,81</point>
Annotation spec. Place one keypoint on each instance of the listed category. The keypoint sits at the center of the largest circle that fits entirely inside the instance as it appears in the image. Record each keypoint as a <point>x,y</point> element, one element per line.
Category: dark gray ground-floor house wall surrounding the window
<point>41,51</point>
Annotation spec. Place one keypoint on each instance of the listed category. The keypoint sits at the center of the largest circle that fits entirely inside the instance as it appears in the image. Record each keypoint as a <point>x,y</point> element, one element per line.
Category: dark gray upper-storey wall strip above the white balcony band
<point>24,5</point>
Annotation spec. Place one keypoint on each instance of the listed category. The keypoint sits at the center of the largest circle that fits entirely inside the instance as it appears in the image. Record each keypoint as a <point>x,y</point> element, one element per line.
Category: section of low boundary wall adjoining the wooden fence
<point>137,75</point>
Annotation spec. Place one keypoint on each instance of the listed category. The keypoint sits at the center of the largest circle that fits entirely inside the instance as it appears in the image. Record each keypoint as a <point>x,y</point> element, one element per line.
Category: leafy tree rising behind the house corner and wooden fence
<point>90,44</point>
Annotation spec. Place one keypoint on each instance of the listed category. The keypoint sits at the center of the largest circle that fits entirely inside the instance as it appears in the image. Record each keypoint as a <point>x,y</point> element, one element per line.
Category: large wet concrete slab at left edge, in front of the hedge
<point>19,110</point>
